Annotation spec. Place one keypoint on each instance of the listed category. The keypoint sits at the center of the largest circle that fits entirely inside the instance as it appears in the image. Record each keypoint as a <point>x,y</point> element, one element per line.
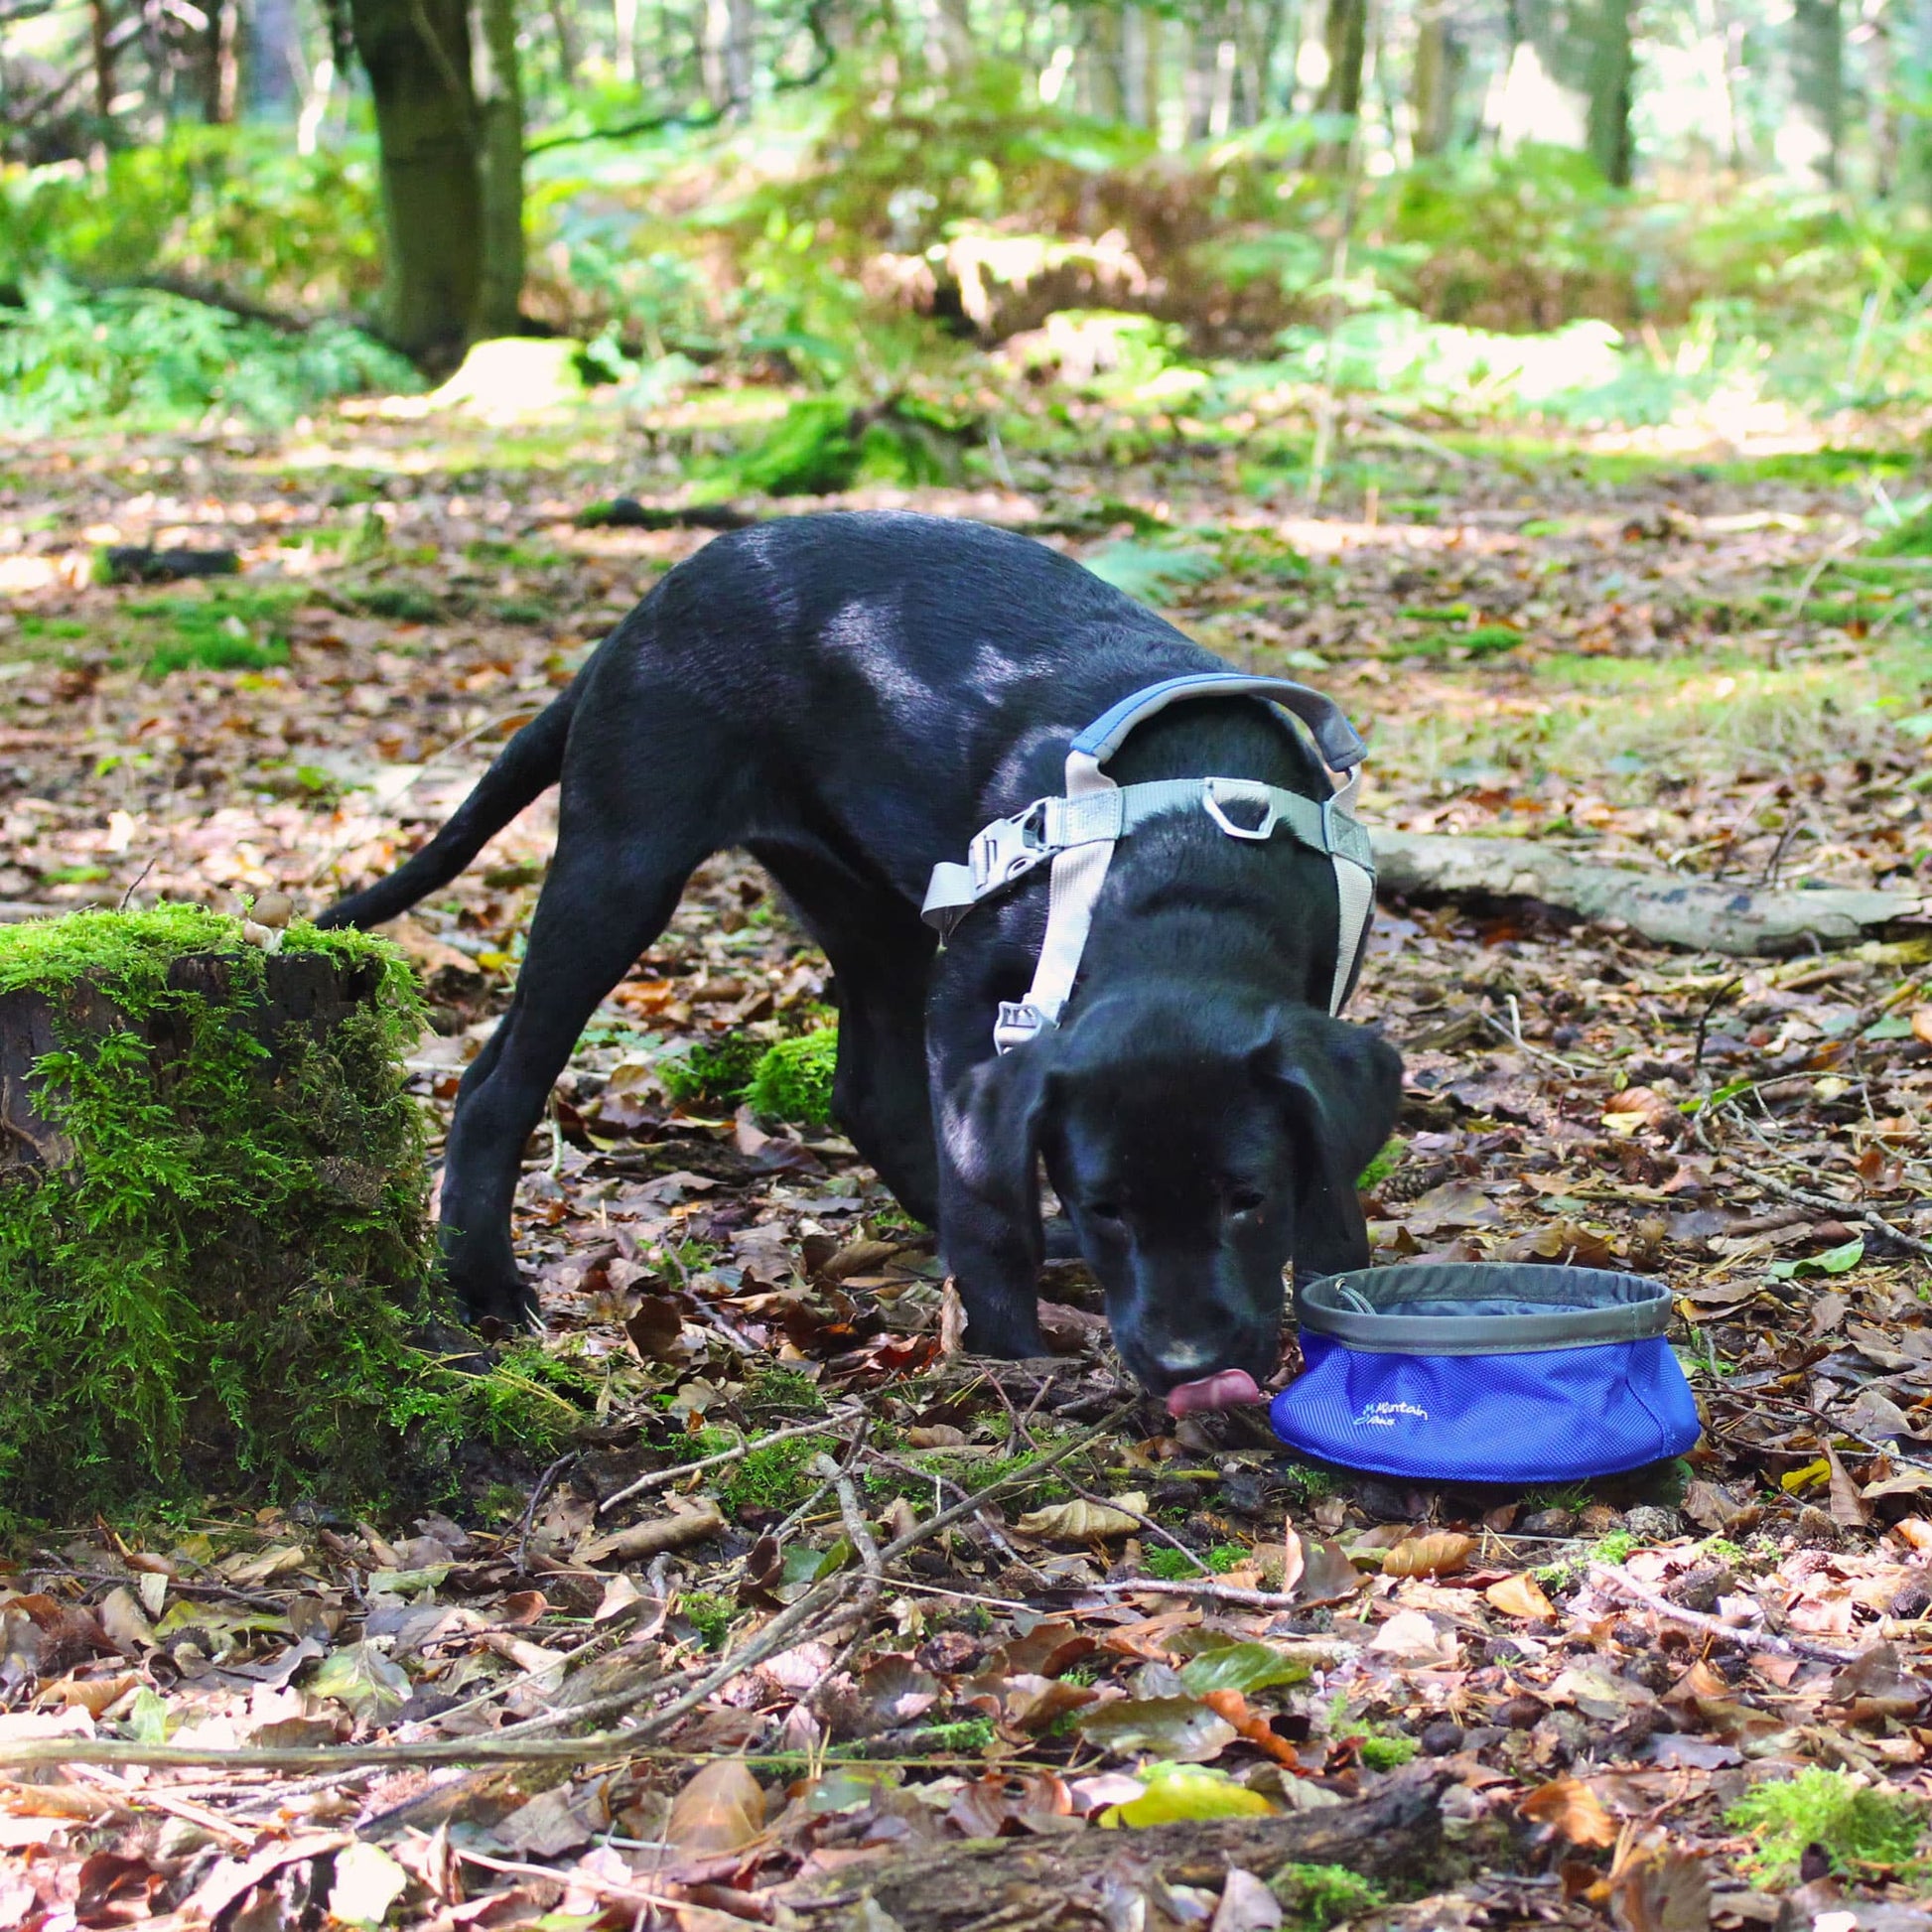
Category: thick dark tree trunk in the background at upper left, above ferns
<point>416,55</point>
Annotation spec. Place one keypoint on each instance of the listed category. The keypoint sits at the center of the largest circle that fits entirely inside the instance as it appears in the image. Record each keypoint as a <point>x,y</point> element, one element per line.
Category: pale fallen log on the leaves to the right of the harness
<point>1659,905</point>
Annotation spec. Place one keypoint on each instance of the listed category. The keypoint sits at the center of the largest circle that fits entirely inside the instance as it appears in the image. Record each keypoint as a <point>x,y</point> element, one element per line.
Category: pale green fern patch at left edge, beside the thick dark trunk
<point>156,360</point>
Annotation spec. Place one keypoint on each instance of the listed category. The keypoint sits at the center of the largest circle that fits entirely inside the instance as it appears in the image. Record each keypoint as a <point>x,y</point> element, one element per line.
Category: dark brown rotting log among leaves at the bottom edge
<point>1079,1879</point>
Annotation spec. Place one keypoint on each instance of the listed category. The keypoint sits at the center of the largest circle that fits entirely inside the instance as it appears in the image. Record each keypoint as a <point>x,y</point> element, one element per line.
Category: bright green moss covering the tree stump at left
<point>225,1276</point>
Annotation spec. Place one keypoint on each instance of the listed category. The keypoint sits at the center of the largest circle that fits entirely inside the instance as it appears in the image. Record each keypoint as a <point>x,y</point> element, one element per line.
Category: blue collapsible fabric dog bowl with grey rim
<point>1487,1373</point>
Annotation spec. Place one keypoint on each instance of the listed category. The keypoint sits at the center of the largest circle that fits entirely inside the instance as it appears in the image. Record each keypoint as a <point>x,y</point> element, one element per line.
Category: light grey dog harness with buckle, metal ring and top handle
<point>1077,836</point>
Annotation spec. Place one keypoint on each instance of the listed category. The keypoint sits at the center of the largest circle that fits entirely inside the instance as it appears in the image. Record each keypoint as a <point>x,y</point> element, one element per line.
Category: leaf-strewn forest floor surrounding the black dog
<point>1693,1697</point>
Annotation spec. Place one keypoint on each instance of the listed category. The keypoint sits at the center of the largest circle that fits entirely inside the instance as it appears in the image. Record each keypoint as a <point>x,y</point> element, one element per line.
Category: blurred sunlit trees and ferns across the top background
<point>834,190</point>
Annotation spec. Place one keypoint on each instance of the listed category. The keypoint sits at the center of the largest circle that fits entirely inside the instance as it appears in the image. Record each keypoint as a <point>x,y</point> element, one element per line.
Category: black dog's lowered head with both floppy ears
<point>1199,1143</point>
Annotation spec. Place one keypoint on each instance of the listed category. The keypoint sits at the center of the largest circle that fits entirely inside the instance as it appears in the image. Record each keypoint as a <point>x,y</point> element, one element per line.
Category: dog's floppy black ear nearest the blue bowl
<point>1344,1087</point>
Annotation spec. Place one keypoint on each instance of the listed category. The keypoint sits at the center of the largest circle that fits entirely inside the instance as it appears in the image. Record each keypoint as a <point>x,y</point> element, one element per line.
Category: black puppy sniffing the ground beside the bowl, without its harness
<point>851,698</point>
